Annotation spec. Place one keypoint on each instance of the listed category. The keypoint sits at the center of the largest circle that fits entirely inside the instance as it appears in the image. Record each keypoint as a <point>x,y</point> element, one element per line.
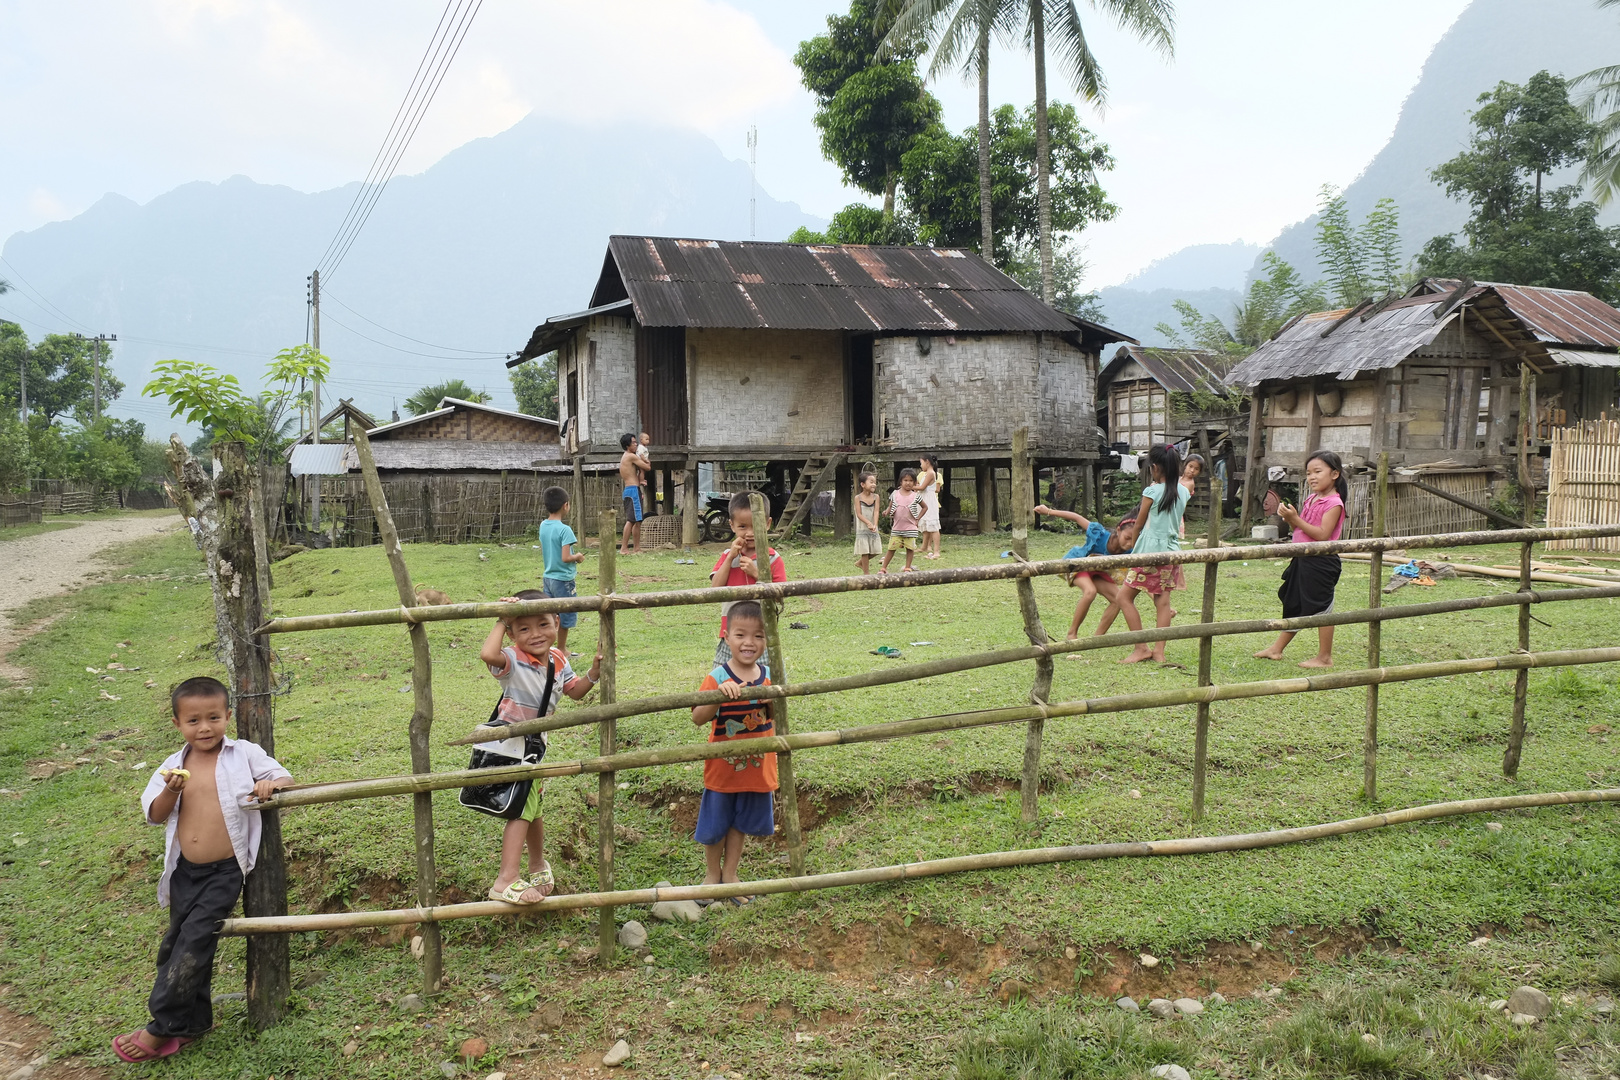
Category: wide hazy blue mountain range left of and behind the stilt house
<point>453,270</point>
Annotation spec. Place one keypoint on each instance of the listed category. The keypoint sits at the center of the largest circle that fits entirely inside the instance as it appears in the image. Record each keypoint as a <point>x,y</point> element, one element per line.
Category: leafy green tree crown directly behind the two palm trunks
<point>942,185</point>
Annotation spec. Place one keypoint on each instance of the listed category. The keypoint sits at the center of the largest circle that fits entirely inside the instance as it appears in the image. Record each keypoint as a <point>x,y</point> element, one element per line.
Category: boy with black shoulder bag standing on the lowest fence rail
<point>526,670</point>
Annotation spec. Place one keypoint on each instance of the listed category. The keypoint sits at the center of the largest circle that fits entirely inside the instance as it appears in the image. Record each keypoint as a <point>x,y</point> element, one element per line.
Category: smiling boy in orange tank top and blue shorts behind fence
<point>736,791</point>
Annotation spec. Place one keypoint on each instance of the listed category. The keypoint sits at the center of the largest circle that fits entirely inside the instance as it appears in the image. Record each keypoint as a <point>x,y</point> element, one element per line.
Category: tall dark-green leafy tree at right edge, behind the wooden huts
<point>1519,232</point>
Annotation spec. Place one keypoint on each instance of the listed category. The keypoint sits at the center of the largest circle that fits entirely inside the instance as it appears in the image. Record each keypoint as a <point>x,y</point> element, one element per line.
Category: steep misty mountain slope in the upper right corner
<point>1493,41</point>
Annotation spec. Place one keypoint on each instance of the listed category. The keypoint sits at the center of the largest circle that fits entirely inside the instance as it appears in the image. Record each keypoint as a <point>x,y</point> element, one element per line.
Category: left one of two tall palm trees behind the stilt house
<point>949,27</point>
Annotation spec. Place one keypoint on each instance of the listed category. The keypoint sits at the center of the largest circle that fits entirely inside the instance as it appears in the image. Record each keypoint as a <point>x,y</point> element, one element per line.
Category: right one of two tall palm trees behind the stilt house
<point>1151,20</point>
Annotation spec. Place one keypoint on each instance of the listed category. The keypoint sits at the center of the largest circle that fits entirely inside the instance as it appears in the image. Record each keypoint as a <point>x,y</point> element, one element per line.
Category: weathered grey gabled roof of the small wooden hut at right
<point>1349,342</point>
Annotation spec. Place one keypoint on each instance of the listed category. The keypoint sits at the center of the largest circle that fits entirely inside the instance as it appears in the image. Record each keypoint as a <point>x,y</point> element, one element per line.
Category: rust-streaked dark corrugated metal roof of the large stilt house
<point>824,287</point>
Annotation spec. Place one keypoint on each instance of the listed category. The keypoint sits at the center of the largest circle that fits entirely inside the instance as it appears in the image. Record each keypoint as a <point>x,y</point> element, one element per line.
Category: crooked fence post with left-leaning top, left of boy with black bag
<point>420,718</point>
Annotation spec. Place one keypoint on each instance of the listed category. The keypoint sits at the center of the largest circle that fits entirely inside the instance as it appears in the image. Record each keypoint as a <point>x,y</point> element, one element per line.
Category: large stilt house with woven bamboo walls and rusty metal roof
<point>816,360</point>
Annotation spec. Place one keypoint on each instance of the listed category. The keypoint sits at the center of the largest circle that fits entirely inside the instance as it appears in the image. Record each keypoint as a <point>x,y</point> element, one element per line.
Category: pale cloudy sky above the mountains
<point>1264,101</point>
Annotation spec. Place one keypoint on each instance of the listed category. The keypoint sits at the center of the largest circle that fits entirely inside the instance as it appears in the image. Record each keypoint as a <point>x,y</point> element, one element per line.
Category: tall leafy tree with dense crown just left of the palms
<point>869,108</point>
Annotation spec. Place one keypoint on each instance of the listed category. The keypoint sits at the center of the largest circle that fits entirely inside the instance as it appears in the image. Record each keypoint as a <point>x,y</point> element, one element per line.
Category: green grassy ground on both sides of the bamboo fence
<point>1007,974</point>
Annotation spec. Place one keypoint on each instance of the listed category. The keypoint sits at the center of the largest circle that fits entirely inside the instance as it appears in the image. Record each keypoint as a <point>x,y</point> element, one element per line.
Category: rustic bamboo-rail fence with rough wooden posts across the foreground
<point>1034,713</point>
